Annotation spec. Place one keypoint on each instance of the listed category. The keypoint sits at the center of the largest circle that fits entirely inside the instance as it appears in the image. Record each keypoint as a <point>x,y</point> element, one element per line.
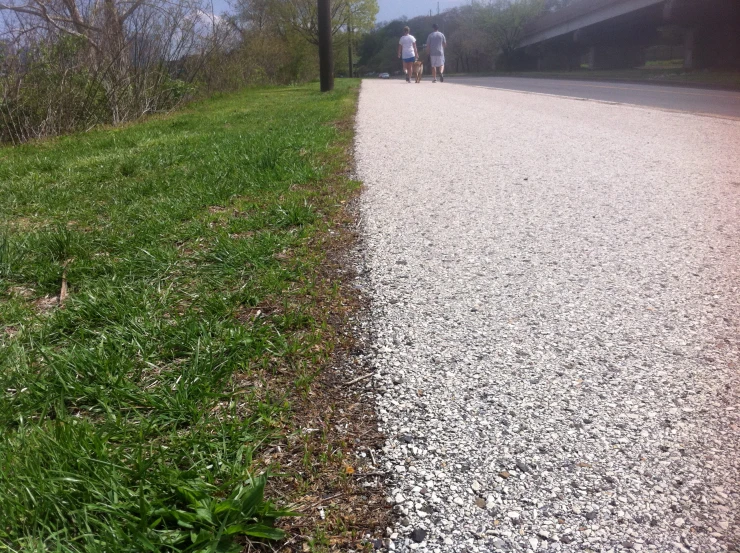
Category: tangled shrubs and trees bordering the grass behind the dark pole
<point>153,58</point>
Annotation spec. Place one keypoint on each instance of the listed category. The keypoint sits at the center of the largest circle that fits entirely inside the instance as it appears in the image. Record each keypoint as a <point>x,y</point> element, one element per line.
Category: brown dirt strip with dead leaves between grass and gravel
<point>329,460</point>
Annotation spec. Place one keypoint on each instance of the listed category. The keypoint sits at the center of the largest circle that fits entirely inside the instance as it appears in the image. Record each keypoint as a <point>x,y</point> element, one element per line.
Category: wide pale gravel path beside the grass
<point>556,307</point>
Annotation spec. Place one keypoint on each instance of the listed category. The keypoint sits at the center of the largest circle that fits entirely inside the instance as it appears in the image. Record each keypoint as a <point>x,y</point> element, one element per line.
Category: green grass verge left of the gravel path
<point>133,416</point>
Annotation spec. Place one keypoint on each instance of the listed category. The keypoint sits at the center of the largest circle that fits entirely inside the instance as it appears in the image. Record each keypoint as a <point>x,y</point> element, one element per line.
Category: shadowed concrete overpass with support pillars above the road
<point>611,34</point>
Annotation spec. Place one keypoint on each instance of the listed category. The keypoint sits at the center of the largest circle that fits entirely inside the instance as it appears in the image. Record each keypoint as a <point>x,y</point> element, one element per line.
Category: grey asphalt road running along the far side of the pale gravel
<point>694,100</point>
